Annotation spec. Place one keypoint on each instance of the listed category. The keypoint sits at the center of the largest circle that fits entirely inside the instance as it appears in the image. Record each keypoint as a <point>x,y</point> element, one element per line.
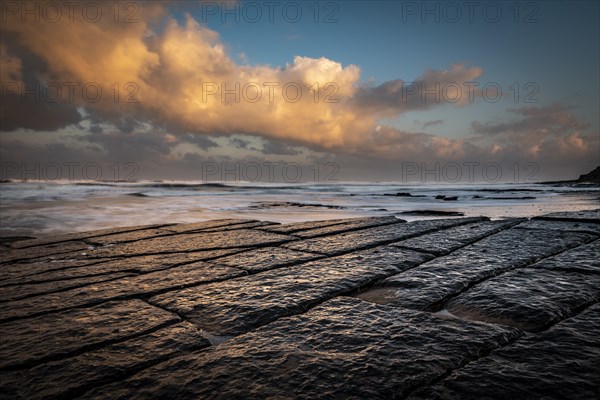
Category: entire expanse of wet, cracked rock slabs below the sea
<point>370,308</point>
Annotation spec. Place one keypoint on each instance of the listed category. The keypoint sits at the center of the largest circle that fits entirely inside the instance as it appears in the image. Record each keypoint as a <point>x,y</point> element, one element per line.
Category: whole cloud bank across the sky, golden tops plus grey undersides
<point>165,83</point>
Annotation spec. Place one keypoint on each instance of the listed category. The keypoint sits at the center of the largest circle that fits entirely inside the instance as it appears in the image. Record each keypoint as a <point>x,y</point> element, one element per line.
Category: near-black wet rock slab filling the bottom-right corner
<point>561,363</point>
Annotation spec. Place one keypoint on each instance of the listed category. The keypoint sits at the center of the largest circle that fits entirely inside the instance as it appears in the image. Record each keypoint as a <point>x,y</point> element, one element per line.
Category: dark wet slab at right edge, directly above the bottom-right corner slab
<point>529,299</point>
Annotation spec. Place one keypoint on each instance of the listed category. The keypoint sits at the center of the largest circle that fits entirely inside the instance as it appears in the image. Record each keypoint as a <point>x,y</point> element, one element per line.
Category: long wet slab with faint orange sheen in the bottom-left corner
<point>73,376</point>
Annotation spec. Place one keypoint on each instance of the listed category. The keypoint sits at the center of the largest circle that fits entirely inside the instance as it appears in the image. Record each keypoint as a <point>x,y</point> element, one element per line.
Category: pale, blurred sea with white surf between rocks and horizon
<point>37,208</point>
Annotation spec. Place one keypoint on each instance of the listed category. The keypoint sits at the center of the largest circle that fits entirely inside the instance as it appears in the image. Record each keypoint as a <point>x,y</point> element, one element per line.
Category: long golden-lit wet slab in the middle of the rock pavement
<point>240,305</point>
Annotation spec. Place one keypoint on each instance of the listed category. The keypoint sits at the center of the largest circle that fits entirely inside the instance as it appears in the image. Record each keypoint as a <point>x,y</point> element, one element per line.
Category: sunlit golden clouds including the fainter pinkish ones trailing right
<point>181,69</point>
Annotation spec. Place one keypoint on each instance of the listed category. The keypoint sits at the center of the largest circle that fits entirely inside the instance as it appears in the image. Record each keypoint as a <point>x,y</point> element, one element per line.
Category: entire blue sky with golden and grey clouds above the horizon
<point>354,90</point>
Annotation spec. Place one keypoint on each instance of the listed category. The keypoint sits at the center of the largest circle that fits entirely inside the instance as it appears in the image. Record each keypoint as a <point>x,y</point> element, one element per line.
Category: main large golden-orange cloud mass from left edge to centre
<point>181,76</point>
